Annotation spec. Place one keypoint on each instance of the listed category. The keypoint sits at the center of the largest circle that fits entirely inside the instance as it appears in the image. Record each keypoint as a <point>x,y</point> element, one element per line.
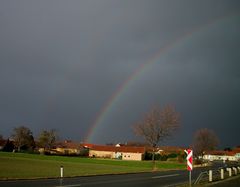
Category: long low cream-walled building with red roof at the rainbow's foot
<point>117,152</point>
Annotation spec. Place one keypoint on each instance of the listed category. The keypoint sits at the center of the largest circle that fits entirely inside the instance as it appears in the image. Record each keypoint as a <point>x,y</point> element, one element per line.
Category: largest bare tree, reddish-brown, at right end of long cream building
<point>158,125</point>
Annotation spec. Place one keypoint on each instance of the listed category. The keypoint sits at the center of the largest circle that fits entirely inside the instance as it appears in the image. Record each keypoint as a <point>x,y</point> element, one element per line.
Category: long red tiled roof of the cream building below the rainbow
<point>124,149</point>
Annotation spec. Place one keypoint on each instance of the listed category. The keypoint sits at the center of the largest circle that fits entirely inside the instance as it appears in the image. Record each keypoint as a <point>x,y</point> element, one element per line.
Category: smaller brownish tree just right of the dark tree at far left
<point>47,139</point>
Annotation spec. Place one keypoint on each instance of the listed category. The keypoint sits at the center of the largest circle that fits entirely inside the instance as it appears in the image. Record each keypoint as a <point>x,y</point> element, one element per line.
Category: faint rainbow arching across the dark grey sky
<point>115,97</point>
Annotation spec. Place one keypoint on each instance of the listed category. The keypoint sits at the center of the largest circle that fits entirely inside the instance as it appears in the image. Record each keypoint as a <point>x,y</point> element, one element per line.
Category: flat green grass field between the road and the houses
<point>27,166</point>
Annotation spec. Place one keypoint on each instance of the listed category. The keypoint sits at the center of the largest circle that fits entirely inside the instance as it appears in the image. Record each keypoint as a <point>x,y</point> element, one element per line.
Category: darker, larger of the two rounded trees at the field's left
<point>22,136</point>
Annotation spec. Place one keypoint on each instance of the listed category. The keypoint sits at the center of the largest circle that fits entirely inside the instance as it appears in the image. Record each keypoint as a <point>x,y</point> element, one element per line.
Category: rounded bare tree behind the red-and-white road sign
<point>204,140</point>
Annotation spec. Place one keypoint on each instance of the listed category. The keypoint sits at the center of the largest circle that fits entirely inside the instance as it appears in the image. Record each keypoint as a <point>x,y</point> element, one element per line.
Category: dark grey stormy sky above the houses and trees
<point>91,69</point>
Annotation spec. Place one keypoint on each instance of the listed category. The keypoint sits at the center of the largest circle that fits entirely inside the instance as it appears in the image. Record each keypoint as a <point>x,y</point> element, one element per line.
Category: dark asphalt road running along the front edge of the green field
<point>152,179</point>
